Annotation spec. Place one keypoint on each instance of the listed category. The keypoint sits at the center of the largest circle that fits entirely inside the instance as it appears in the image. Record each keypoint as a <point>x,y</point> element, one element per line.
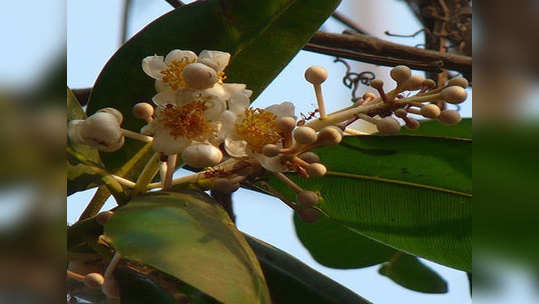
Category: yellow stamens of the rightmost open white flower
<point>258,128</point>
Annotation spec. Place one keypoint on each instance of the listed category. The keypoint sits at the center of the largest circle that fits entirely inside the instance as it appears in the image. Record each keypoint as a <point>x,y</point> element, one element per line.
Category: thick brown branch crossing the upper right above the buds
<point>373,46</point>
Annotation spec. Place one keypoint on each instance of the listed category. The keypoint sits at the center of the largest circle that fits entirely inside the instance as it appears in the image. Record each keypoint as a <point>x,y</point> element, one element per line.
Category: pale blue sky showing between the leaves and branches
<point>93,31</point>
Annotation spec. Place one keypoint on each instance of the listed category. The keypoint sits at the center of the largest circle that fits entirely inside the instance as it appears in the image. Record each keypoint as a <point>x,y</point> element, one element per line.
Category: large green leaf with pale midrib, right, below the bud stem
<point>410,192</point>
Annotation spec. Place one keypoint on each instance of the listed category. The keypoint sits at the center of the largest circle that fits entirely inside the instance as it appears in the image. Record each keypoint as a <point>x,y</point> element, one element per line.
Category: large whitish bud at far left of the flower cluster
<point>102,130</point>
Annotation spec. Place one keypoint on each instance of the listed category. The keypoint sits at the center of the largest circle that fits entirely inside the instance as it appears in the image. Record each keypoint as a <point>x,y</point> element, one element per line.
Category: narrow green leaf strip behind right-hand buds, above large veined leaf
<point>435,129</point>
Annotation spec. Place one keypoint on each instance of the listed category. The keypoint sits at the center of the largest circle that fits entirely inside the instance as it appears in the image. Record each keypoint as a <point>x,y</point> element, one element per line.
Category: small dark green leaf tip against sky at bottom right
<point>409,272</point>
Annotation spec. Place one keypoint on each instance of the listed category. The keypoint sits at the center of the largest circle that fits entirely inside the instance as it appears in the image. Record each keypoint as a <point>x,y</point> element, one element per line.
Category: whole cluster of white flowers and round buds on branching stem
<point>210,123</point>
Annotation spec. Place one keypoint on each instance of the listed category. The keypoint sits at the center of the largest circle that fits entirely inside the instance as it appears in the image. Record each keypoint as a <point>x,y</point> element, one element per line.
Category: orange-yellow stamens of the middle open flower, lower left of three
<point>187,121</point>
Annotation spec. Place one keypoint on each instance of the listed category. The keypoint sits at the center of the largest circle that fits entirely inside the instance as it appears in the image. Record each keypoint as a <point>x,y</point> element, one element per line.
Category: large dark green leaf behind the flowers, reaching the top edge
<point>262,37</point>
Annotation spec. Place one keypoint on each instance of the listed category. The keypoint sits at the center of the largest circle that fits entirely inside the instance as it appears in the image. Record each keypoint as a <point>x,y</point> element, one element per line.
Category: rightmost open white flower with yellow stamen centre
<point>247,131</point>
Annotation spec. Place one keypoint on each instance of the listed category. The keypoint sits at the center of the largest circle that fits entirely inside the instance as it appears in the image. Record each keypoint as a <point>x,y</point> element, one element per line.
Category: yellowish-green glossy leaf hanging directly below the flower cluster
<point>190,237</point>
